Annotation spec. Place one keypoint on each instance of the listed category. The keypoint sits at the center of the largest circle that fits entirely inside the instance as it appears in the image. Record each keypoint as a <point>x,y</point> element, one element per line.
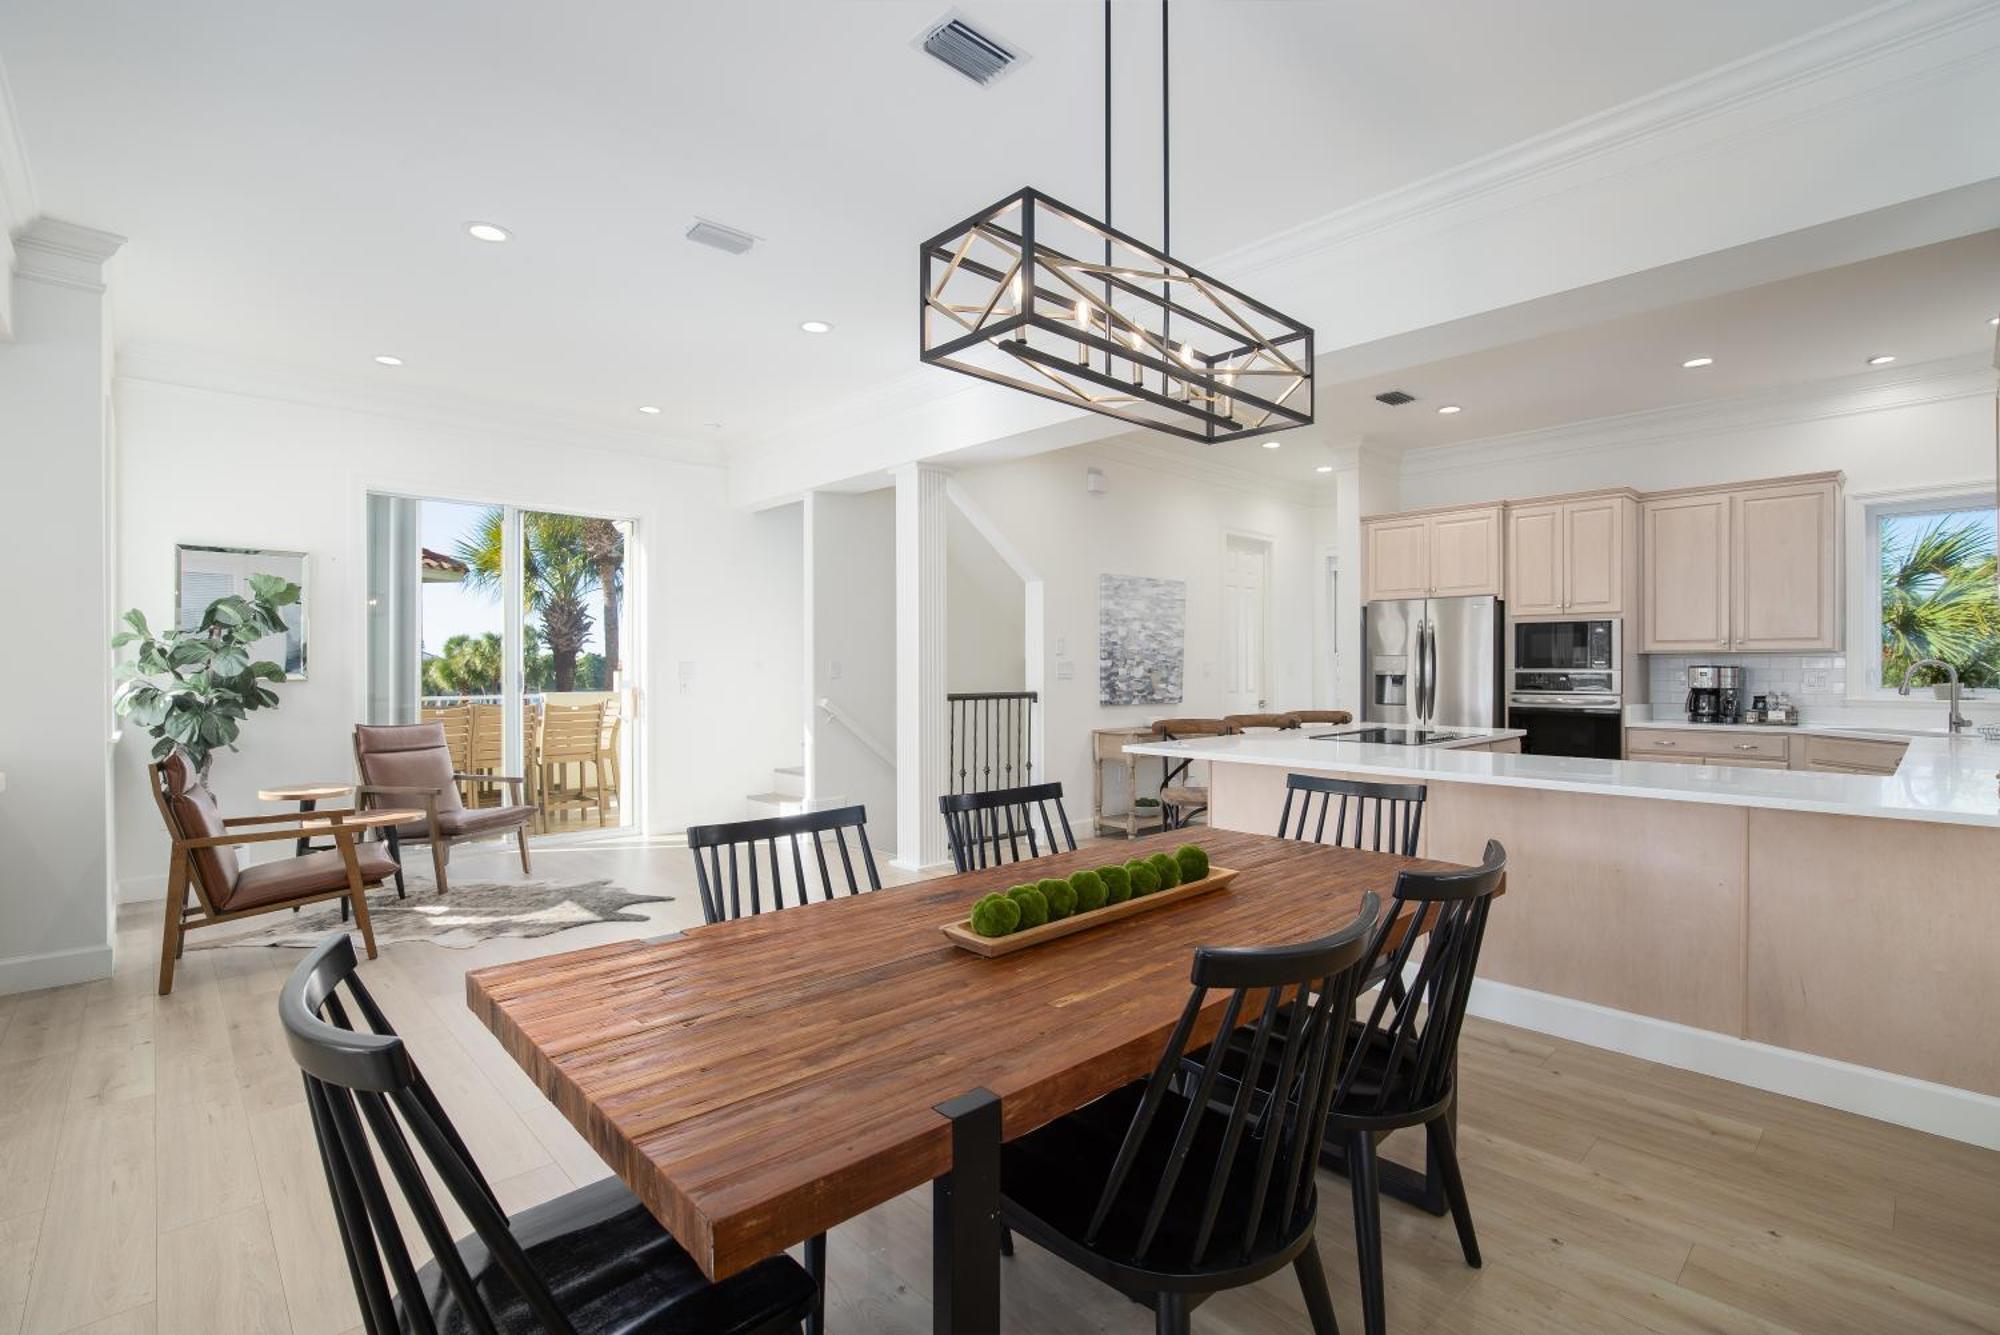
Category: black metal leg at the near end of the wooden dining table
<point>965,1232</point>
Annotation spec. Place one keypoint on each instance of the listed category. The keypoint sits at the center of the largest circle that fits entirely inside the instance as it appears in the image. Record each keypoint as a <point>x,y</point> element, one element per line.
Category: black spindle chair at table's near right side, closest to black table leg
<point>1171,1190</point>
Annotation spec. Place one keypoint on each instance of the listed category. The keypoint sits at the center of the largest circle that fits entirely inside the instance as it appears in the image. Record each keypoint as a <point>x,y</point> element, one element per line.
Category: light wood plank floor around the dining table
<point>157,1174</point>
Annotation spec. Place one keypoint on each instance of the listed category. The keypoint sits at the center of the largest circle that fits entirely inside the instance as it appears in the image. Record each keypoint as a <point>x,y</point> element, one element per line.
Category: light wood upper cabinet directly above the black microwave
<point>1569,557</point>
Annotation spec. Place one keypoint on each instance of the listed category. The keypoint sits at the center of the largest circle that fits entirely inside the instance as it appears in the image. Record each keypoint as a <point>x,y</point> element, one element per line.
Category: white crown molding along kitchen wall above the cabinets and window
<point>1929,383</point>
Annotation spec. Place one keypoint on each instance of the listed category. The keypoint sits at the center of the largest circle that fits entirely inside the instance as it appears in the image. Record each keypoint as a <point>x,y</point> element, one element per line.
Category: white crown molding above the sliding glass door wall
<point>191,369</point>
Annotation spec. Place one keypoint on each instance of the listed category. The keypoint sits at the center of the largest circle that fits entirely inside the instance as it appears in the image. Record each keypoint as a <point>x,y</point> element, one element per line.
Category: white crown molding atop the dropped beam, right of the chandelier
<point>1867,53</point>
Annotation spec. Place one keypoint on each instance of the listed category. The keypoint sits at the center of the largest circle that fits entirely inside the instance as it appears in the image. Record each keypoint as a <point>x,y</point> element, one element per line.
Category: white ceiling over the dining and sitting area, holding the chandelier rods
<point>295,179</point>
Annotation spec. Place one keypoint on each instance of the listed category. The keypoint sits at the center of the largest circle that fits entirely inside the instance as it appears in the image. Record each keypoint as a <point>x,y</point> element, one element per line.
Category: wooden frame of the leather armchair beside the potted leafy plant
<point>345,824</point>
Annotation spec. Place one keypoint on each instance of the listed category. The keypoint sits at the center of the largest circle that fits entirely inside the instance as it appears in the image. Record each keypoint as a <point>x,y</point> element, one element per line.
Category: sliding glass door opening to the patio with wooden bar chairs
<point>511,629</point>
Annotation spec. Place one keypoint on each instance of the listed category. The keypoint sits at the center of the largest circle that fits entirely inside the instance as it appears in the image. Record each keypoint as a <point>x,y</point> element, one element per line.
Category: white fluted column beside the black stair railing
<point>921,647</point>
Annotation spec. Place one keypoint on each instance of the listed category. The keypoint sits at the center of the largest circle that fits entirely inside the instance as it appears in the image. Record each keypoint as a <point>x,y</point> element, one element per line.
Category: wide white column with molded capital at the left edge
<point>57,553</point>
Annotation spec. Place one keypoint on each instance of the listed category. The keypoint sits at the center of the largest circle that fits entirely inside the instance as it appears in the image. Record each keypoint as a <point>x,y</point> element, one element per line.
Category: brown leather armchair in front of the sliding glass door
<point>411,766</point>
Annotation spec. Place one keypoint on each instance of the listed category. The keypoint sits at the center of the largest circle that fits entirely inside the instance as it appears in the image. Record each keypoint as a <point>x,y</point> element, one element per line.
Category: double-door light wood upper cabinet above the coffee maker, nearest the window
<point>1749,569</point>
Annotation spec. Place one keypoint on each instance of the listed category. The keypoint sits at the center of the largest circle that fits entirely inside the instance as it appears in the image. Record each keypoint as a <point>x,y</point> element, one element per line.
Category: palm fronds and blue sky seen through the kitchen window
<point>1939,601</point>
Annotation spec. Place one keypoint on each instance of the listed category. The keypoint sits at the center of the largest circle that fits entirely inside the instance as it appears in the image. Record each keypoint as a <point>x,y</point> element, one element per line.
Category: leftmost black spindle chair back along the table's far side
<point>769,850</point>
